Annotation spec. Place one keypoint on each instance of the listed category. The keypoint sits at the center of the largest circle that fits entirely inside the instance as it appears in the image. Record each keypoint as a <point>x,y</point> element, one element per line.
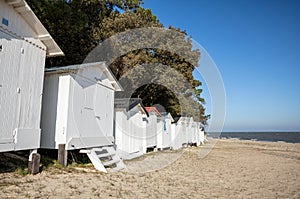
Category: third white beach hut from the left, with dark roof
<point>131,120</point>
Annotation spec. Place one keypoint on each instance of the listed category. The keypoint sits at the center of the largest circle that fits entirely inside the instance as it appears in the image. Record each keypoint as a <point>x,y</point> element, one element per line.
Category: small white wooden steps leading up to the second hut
<point>105,159</point>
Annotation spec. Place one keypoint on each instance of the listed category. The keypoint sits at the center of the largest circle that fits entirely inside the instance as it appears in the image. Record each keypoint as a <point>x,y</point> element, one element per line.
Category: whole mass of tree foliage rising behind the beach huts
<point>79,26</point>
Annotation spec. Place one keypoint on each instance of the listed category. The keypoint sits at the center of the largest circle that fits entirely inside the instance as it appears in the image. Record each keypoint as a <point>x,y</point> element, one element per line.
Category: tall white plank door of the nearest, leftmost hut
<point>10,54</point>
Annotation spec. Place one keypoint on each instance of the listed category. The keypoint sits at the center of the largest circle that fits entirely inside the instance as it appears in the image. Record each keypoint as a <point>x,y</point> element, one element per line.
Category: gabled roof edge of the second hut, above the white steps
<point>73,68</point>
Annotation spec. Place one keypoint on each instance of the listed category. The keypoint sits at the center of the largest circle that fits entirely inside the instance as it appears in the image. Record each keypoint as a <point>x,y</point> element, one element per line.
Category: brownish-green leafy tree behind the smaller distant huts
<point>174,101</point>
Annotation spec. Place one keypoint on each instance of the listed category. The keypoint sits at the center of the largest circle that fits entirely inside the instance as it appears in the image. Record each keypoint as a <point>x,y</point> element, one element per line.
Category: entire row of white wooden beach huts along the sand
<point>72,107</point>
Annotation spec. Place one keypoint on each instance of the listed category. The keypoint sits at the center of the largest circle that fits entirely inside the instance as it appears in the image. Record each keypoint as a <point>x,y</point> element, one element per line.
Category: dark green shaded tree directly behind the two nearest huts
<point>76,24</point>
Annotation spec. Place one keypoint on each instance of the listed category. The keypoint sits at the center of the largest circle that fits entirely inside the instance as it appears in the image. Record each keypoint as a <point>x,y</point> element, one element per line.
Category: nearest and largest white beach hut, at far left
<point>24,46</point>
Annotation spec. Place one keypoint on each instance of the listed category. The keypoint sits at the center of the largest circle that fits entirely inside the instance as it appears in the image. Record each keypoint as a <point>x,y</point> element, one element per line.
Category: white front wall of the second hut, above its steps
<point>91,110</point>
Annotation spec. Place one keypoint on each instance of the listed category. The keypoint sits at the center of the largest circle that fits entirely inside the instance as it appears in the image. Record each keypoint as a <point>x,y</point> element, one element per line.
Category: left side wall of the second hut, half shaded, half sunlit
<point>55,110</point>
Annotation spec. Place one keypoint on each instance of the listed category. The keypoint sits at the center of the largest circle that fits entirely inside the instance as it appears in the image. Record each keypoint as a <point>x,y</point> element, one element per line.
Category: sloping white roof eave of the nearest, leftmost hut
<point>21,7</point>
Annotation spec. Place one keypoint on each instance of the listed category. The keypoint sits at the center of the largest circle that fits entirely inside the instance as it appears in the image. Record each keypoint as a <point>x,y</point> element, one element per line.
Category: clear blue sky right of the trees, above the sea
<point>256,47</point>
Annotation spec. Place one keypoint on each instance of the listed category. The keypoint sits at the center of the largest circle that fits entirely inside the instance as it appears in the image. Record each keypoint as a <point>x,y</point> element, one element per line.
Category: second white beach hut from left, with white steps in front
<point>78,110</point>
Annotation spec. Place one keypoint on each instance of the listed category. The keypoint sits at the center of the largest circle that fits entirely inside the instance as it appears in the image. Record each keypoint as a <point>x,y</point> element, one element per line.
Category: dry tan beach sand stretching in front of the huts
<point>232,169</point>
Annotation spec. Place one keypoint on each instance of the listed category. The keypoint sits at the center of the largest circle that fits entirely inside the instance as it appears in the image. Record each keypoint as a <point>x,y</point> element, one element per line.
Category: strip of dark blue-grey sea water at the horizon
<point>290,137</point>
